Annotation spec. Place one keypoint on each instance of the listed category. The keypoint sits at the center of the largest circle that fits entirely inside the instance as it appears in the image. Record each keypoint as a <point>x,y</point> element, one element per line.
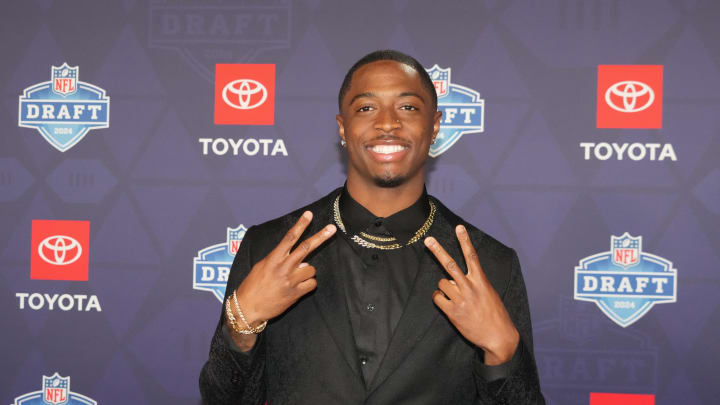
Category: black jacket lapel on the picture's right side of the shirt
<point>420,310</point>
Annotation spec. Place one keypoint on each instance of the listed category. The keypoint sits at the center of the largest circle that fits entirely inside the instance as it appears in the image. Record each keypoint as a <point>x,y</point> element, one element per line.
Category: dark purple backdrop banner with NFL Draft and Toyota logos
<point>141,138</point>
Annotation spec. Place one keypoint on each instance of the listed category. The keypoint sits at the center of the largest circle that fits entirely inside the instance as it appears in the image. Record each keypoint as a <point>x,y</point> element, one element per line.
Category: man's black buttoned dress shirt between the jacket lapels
<point>378,282</point>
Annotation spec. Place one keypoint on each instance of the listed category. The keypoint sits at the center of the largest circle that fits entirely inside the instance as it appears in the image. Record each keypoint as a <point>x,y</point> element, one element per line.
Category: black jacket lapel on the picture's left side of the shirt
<point>329,296</point>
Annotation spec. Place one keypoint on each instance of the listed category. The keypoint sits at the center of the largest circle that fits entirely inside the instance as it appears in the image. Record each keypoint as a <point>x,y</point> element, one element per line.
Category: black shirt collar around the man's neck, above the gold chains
<point>402,224</point>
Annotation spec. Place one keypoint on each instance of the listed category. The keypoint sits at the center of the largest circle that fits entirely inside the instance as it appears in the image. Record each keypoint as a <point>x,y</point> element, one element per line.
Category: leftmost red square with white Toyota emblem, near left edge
<point>60,250</point>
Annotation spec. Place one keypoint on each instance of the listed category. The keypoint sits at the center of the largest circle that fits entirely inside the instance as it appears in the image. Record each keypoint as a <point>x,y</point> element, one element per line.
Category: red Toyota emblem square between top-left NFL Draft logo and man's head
<point>245,94</point>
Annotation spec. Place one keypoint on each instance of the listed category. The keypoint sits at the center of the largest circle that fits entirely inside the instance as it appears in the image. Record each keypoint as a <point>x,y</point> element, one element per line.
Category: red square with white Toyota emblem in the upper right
<point>629,96</point>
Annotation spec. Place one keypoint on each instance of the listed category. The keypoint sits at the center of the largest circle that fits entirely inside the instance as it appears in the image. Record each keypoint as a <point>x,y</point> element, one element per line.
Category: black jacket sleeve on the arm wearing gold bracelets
<point>230,376</point>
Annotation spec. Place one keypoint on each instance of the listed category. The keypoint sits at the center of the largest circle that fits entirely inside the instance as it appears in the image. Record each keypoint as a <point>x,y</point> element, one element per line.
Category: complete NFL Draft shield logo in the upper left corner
<point>64,109</point>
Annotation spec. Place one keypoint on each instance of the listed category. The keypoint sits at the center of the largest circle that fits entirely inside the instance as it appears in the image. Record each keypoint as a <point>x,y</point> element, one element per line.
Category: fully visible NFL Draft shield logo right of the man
<point>625,282</point>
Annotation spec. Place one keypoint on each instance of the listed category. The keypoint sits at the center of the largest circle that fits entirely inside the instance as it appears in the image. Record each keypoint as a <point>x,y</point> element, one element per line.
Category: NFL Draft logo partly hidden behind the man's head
<point>463,110</point>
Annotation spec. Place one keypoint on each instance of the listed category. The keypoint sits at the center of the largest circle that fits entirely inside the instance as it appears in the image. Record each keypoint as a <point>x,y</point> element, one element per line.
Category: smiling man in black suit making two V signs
<point>376,293</point>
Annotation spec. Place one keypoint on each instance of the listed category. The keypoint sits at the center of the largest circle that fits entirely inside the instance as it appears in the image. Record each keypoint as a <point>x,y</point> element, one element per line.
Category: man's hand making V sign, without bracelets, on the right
<point>472,304</point>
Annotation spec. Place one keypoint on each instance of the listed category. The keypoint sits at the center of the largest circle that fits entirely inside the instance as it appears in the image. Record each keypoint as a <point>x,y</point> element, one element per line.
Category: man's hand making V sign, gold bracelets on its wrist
<point>280,278</point>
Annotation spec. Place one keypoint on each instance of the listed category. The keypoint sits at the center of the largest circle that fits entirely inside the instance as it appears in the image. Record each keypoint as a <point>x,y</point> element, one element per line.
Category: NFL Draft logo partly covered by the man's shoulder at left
<point>211,266</point>
